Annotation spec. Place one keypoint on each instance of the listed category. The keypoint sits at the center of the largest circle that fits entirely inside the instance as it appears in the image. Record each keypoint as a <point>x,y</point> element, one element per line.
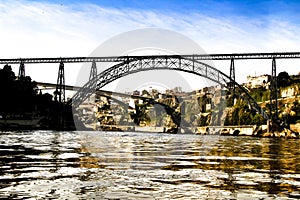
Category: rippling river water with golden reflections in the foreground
<point>116,165</point>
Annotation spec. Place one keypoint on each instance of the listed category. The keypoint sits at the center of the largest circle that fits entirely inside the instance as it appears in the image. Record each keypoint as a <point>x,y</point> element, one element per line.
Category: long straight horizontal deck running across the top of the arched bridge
<point>235,56</point>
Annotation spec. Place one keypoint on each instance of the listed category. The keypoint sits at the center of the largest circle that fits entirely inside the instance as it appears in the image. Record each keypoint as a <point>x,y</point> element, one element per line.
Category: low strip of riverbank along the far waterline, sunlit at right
<point>243,130</point>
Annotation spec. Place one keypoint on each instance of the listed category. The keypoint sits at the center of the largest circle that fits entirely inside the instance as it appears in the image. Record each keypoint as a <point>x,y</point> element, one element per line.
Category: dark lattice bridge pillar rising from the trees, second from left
<point>60,86</point>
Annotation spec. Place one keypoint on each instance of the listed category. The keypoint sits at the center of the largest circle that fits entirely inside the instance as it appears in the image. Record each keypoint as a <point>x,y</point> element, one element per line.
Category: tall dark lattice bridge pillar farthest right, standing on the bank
<point>273,93</point>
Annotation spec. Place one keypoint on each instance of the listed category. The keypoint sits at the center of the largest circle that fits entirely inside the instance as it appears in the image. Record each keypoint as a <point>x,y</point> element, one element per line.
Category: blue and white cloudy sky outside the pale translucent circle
<point>61,28</point>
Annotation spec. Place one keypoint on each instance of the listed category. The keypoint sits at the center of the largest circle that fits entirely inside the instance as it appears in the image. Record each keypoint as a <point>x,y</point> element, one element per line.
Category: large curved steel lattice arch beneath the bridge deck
<point>173,62</point>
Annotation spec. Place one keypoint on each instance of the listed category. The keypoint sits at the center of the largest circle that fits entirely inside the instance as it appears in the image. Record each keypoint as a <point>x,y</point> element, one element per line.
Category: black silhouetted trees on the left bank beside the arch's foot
<point>21,99</point>
